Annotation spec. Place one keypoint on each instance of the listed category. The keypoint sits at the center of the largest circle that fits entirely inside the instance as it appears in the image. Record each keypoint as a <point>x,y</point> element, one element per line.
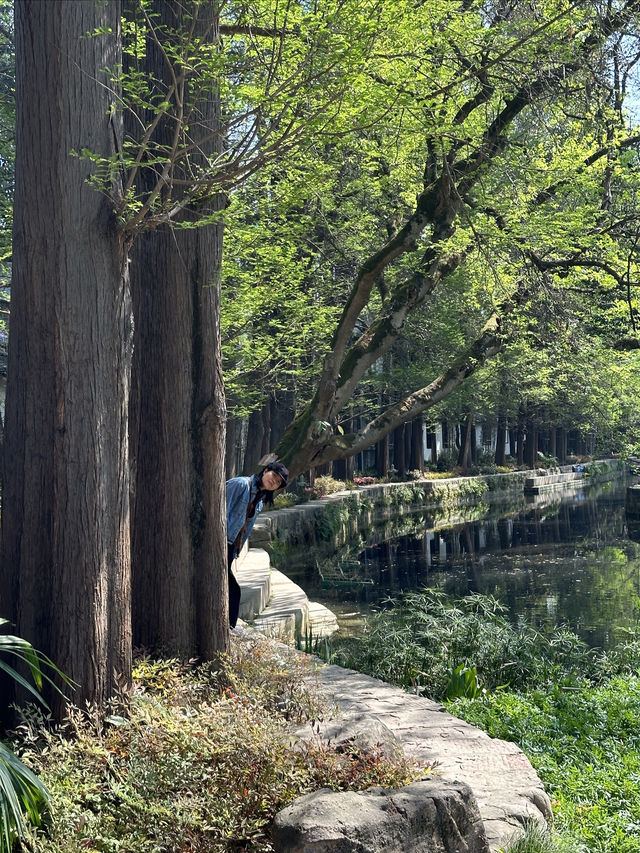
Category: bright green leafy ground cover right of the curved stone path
<point>585,745</point>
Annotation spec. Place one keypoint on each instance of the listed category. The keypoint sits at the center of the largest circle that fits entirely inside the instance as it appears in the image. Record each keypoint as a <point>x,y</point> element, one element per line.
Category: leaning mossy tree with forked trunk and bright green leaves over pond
<point>508,72</point>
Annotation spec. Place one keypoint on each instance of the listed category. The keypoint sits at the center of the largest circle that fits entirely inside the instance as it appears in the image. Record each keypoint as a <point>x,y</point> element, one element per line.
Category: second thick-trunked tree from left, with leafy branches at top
<point>199,134</point>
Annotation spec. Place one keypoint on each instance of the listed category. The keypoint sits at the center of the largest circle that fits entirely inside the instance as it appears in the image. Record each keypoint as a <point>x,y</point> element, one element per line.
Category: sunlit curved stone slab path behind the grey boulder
<point>507,789</point>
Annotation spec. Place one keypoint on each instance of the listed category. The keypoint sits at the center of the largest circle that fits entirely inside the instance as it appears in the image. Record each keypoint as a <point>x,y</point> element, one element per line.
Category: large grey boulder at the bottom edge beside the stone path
<point>429,816</point>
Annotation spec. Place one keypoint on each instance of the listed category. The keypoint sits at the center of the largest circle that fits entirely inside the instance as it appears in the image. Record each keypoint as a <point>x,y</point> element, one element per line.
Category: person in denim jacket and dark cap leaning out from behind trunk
<point>246,497</point>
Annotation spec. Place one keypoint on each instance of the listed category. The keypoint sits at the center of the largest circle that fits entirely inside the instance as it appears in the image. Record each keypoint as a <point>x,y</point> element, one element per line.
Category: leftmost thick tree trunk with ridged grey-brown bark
<point>65,576</point>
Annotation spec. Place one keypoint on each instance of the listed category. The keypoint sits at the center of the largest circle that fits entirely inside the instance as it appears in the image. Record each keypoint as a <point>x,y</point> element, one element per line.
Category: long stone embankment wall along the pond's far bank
<point>336,518</point>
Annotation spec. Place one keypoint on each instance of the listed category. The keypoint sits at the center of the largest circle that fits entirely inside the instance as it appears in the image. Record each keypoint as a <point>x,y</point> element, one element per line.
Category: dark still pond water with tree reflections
<point>567,560</point>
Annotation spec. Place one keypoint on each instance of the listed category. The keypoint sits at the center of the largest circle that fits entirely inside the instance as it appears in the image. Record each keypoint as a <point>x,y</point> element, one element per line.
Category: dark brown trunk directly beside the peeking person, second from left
<point>178,422</point>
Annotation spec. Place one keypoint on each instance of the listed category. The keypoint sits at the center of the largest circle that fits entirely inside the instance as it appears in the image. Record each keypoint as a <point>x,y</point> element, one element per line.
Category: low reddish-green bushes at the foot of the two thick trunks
<point>196,766</point>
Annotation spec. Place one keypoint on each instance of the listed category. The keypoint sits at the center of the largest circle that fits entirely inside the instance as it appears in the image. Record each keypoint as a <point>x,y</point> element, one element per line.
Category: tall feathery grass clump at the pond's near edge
<point>425,642</point>
